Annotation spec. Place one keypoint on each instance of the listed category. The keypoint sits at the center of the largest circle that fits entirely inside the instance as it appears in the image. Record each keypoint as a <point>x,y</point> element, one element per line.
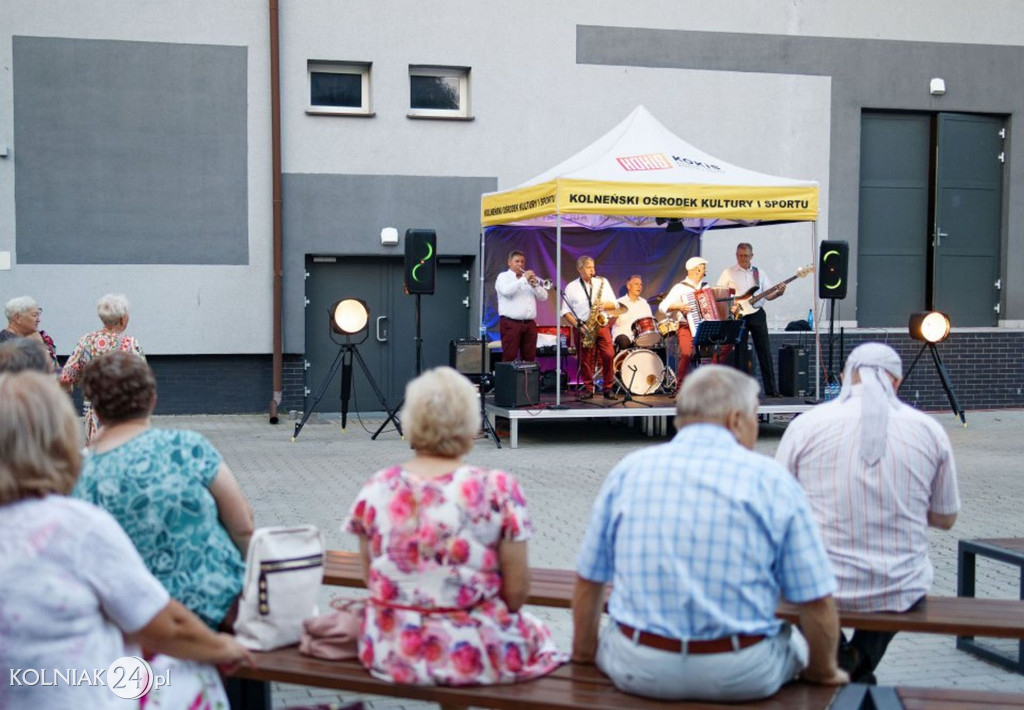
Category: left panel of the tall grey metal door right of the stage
<point>892,245</point>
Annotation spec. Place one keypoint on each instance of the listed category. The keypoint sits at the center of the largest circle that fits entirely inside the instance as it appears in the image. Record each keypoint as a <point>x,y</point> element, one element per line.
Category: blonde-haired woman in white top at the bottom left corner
<point>75,593</point>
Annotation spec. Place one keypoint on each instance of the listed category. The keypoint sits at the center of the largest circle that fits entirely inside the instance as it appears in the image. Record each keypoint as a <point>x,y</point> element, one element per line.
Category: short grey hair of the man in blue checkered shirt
<point>714,391</point>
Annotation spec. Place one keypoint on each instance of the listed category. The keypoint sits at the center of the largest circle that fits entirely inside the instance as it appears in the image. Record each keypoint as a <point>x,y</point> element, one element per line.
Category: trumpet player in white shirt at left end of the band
<point>519,291</point>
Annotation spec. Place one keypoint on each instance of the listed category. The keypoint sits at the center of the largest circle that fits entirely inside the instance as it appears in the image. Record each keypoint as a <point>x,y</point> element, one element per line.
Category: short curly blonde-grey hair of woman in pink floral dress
<point>442,413</point>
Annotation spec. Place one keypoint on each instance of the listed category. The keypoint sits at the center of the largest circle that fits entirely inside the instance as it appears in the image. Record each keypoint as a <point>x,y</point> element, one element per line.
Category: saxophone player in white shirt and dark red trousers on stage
<point>589,303</point>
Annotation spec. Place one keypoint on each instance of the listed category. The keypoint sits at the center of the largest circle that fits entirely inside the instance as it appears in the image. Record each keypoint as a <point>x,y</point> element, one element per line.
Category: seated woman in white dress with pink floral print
<point>444,548</point>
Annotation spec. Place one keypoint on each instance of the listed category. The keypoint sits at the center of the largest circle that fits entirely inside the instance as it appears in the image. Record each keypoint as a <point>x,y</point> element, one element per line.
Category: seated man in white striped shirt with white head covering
<point>877,474</point>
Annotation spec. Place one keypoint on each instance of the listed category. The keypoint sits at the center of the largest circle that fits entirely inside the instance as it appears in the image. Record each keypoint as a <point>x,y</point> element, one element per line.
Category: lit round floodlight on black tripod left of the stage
<point>350,318</point>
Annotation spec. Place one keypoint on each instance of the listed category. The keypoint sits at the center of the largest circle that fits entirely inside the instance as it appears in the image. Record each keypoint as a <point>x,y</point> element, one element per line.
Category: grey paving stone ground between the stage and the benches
<point>562,466</point>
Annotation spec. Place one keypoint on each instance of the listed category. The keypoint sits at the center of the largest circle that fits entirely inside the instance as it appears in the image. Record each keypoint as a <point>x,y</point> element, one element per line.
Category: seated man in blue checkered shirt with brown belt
<point>700,537</point>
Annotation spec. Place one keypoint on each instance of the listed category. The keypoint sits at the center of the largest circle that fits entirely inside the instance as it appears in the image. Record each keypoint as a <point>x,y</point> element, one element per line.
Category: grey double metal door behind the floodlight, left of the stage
<point>390,351</point>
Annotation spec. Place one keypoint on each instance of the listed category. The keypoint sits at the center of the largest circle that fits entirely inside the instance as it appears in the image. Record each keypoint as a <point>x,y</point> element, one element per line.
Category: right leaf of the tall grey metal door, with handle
<point>968,219</point>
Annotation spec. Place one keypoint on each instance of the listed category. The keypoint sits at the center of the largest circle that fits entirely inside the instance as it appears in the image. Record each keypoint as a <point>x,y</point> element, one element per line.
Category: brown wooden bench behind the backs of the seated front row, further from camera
<point>956,616</point>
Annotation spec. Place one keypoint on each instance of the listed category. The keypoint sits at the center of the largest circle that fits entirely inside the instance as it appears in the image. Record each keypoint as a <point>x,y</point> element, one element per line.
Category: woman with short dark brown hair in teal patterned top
<point>170,490</point>
